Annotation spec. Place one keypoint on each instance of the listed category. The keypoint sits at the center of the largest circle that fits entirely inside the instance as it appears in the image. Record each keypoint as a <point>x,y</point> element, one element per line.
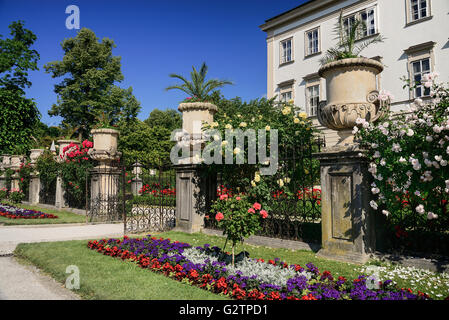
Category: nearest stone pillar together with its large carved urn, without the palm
<point>347,219</point>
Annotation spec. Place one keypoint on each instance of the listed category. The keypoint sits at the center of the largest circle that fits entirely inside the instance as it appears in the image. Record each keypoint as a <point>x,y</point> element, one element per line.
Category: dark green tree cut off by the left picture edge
<point>18,114</point>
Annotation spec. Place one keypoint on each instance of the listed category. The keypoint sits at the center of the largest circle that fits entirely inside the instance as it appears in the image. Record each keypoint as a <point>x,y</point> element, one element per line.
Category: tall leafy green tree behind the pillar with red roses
<point>88,92</point>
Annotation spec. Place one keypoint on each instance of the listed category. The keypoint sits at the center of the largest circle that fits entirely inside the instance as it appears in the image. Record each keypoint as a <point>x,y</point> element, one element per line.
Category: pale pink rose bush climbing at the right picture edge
<point>409,154</point>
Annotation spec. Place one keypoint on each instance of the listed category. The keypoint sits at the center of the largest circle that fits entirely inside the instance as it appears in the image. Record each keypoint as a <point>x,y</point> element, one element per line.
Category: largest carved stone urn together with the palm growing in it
<point>350,81</point>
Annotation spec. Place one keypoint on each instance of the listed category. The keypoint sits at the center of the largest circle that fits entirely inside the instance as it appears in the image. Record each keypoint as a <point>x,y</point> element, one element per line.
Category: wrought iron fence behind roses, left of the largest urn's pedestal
<point>293,197</point>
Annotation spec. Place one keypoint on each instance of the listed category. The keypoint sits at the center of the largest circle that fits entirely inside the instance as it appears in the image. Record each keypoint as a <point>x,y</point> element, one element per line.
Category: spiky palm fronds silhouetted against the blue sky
<point>198,87</point>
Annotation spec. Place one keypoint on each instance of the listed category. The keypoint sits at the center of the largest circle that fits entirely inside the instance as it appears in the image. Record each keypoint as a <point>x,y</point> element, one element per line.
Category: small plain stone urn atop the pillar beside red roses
<point>105,144</point>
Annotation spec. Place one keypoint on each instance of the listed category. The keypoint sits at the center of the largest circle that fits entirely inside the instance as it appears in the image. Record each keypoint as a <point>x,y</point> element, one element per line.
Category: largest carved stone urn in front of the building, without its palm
<point>351,94</point>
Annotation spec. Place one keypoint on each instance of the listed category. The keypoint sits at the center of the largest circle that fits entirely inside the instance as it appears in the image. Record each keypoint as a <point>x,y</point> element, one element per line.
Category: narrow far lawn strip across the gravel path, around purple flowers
<point>63,216</point>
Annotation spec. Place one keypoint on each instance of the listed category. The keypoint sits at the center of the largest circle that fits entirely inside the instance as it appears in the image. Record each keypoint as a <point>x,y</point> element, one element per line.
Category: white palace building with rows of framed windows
<point>416,42</point>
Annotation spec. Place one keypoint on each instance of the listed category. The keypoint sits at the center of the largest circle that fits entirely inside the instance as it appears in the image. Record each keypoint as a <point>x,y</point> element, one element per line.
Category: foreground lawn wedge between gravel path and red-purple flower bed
<point>103,277</point>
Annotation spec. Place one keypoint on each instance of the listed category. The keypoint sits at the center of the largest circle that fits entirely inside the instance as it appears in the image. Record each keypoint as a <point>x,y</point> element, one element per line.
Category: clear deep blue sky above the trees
<point>154,39</point>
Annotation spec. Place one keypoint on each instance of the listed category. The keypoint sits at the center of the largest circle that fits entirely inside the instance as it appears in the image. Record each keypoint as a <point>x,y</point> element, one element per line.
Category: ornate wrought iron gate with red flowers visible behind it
<point>150,201</point>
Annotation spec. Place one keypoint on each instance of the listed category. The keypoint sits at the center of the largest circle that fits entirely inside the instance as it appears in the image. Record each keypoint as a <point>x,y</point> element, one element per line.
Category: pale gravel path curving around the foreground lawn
<point>23,282</point>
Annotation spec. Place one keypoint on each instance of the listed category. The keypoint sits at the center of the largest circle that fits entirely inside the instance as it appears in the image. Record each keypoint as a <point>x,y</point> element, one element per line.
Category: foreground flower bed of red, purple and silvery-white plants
<point>250,279</point>
